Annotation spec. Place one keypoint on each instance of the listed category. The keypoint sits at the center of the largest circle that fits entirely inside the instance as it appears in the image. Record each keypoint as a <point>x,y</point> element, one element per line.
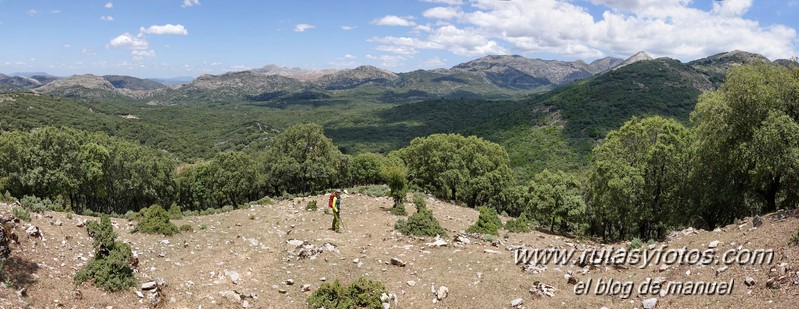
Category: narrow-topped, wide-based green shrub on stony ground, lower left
<point>110,267</point>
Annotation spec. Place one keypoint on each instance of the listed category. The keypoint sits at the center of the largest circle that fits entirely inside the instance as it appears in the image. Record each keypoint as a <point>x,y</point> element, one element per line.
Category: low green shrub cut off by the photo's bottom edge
<point>363,293</point>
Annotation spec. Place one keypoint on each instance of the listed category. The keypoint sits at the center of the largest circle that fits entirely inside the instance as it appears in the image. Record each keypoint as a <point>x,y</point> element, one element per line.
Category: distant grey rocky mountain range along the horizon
<point>489,77</point>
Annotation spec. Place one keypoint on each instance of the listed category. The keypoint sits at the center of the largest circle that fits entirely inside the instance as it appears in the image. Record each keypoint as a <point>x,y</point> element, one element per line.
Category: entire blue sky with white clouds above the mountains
<point>170,38</point>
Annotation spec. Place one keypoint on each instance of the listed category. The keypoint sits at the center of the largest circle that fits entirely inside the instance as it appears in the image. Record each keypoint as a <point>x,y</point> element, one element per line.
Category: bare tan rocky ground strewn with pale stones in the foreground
<point>274,256</point>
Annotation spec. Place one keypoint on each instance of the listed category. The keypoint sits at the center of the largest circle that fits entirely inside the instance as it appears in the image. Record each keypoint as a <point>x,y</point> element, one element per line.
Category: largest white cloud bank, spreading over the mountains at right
<point>672,28</point>
